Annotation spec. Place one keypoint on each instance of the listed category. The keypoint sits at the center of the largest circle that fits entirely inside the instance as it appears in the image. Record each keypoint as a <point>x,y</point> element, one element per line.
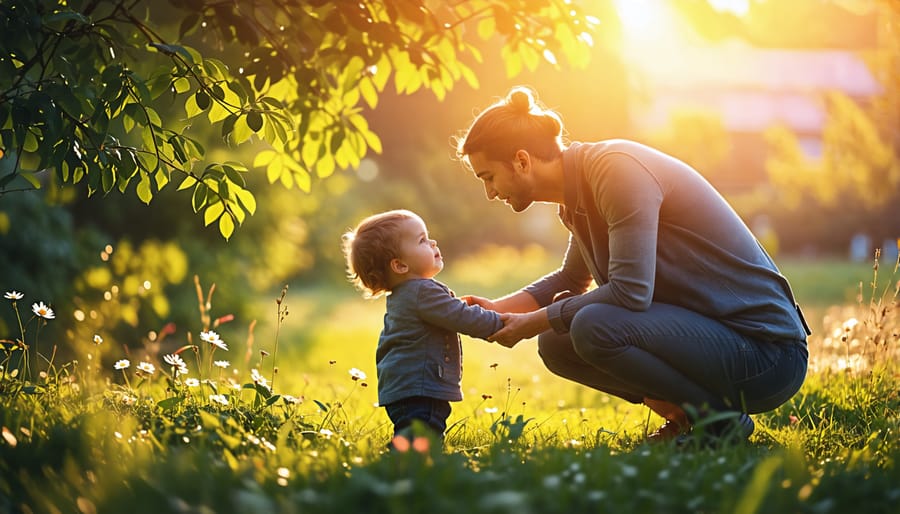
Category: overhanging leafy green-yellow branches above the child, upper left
<point>115,94</point>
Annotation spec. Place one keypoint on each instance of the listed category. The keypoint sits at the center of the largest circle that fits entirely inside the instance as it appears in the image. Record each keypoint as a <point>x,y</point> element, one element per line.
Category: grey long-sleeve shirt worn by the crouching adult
<point>647,227</point>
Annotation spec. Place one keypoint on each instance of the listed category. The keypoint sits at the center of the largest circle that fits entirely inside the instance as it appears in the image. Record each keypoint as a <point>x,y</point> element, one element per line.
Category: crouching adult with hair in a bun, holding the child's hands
<point>690,316</point>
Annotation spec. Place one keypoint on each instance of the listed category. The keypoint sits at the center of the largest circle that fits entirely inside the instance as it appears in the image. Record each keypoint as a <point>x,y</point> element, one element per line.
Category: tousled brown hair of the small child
<point>369,249</point>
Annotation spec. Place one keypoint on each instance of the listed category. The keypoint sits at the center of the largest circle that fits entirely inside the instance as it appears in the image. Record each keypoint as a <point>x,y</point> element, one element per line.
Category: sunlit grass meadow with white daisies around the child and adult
<point>291,425</point>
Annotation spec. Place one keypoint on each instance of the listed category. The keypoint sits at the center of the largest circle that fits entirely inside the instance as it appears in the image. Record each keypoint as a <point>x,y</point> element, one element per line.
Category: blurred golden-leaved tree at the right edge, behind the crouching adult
<point>854,187</point>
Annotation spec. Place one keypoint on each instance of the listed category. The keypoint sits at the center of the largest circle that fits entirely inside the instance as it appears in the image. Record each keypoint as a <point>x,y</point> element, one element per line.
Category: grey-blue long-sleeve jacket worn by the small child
<point>419,352</point>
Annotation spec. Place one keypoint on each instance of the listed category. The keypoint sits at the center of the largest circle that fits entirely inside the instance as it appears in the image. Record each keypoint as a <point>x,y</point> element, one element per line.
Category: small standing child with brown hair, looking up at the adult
<point>419,355</point>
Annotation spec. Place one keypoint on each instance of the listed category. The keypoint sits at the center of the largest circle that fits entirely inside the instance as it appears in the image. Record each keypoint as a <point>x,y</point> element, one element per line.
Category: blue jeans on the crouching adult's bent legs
<point>676,355</point>
